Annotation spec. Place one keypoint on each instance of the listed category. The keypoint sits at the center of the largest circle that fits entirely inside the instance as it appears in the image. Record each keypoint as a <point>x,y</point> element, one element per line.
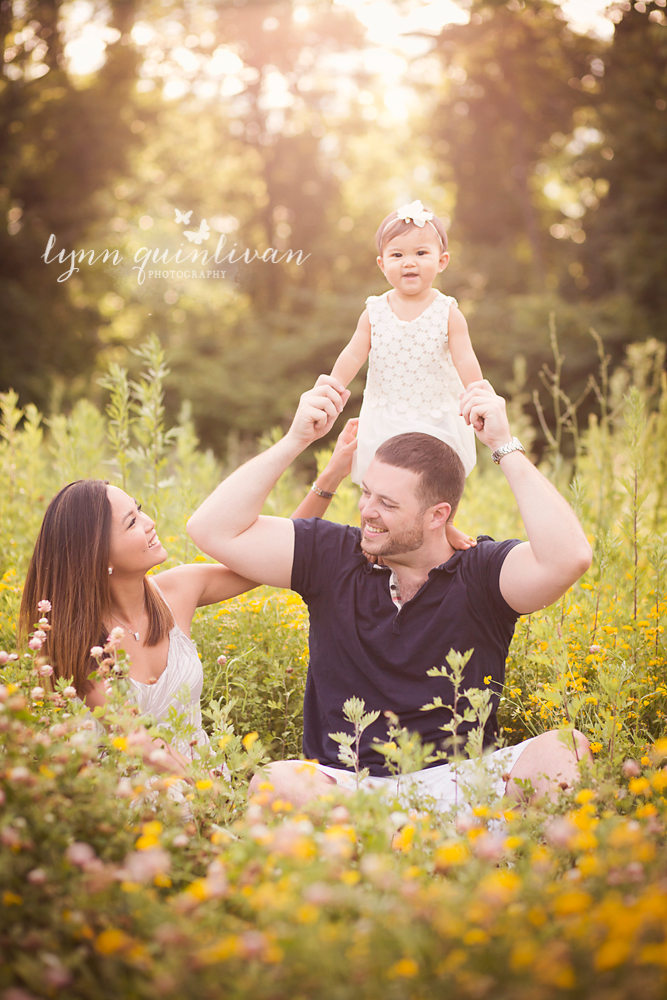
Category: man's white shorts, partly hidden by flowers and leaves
<point>447,784</point>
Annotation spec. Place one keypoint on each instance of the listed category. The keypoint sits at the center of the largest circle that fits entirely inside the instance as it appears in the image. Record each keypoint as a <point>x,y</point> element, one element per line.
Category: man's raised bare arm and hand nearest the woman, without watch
<point>228,525</point>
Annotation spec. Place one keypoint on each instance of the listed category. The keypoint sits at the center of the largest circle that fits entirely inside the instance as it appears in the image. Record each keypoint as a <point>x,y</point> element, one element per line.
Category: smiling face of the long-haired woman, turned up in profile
<point>134,546</point>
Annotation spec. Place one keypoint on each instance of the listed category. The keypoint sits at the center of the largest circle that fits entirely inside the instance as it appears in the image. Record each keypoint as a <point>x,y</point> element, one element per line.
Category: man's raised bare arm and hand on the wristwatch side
<point>538,572</point>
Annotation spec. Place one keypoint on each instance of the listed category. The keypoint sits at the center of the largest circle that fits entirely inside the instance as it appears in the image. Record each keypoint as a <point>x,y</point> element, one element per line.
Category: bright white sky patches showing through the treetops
<point>386,27</point>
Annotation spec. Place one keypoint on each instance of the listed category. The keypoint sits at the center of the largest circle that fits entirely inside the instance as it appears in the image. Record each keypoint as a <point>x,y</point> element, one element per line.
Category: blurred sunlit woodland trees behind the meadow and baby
<point>283,126</point>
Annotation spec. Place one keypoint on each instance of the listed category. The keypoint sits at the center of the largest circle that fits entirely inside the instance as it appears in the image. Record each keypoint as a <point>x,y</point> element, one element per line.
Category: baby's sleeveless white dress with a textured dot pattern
<point>412,383</point>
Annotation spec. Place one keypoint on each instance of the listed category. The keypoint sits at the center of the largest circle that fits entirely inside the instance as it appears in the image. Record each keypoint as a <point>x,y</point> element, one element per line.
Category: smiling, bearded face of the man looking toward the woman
<point>393,518</point>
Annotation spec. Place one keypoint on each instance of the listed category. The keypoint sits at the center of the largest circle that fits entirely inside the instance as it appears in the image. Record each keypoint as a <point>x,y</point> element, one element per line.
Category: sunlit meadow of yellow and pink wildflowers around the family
<point>117,883</point>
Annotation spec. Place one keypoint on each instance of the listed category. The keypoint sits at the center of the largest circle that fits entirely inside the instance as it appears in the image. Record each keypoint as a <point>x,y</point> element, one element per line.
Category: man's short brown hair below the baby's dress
<point>440,468</point>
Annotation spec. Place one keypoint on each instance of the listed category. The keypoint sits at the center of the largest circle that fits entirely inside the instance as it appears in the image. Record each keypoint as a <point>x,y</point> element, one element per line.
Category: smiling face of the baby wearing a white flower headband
<point>411,261</point>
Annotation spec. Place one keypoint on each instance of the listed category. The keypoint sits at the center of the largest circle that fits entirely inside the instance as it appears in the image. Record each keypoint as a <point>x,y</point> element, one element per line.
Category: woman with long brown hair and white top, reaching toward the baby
<point>93,552</point>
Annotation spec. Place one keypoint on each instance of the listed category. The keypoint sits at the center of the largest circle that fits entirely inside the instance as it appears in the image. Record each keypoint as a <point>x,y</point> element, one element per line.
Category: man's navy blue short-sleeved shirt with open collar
<point>362,645</point>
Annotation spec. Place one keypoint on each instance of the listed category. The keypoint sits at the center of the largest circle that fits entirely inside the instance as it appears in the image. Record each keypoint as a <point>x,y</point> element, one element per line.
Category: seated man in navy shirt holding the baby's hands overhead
<point>375,630</point>
